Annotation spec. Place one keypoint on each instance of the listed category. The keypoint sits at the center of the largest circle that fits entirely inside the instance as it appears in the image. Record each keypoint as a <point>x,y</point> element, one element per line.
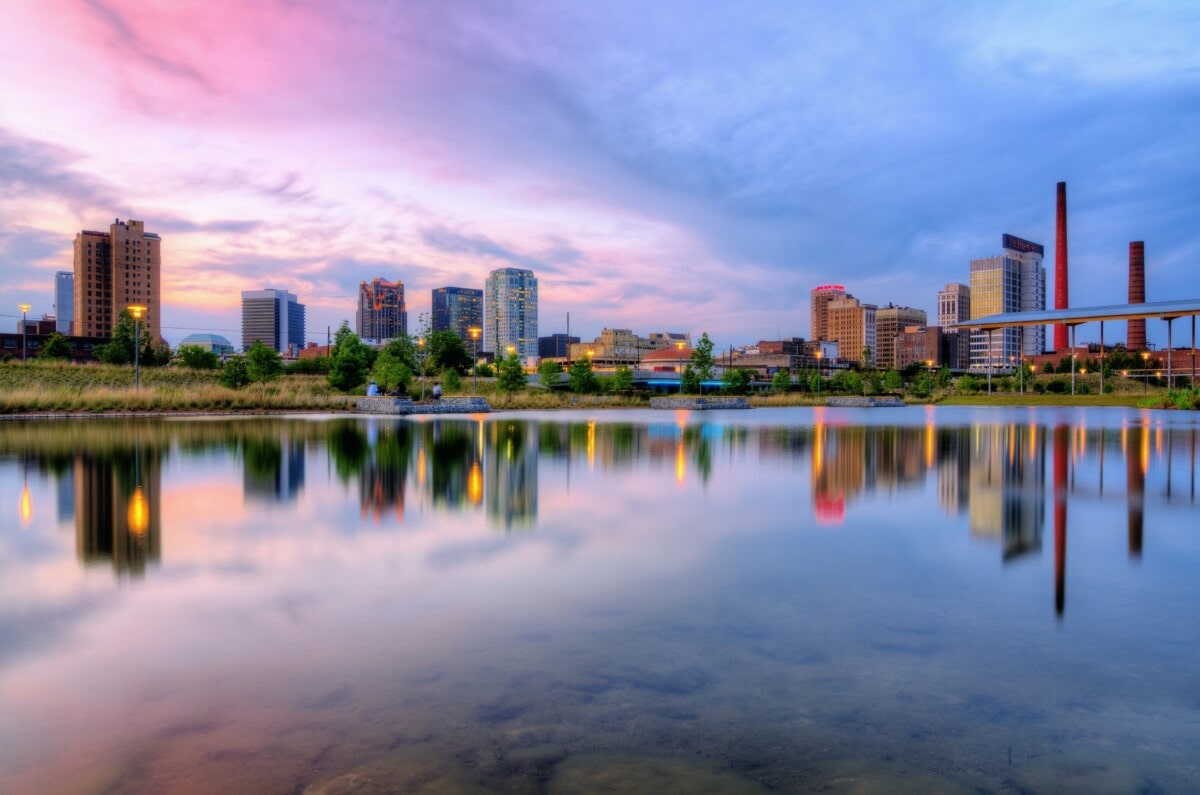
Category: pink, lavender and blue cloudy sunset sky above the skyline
<point>669,166</point>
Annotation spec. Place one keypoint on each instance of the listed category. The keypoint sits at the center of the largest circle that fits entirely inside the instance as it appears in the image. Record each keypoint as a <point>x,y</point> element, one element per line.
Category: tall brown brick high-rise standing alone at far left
<point>113,271</point>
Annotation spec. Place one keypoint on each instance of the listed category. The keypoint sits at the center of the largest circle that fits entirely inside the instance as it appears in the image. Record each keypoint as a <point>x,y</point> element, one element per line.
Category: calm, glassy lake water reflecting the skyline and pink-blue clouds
<point>781,600</point>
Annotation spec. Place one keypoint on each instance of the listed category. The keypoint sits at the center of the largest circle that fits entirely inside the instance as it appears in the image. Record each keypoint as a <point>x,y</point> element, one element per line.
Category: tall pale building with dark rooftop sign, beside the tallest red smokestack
<point>1013,282</point>
